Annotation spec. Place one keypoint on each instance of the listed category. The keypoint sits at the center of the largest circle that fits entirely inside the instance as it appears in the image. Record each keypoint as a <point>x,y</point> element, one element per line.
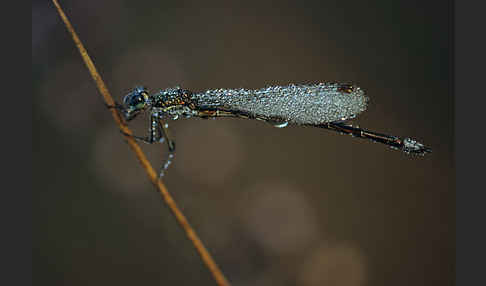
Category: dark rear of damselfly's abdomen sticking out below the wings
<point>406,145</point>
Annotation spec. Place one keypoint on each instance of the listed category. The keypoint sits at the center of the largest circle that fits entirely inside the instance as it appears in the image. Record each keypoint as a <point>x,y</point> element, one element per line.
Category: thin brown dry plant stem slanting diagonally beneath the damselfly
<point>191,234</point>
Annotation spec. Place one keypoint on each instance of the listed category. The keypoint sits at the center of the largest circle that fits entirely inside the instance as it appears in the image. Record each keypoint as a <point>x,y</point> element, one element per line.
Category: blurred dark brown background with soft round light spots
<point>292,206</point>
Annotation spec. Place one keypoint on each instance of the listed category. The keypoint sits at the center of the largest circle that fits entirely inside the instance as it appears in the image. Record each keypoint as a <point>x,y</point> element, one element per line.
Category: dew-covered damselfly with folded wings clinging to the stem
<point>324,105</point>
